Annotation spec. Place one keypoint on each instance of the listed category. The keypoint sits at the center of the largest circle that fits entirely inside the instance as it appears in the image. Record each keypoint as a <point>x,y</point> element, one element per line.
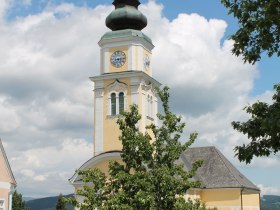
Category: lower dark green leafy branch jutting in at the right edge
<point>263,129</point>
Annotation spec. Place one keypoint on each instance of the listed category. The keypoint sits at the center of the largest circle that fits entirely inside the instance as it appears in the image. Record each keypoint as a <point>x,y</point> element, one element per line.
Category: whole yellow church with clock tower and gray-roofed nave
<point>125,79</point>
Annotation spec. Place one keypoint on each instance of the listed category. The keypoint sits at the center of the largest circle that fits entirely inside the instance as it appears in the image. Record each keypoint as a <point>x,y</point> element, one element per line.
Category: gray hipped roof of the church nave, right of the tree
<point>216,171</point>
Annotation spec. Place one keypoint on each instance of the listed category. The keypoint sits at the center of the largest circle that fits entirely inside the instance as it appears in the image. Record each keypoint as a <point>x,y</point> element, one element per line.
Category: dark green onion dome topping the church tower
<point>126,16</point>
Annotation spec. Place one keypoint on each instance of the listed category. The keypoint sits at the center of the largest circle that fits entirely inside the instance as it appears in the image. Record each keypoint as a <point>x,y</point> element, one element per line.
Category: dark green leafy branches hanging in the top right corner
<point>259,28</point>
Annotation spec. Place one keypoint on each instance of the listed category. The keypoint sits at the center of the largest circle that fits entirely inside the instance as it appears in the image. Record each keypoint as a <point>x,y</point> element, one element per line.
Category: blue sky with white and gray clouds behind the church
<point>49,50</point>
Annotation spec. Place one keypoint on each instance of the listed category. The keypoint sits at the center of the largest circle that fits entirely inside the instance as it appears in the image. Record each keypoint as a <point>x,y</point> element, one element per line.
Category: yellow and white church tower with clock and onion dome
<point>125,75</point>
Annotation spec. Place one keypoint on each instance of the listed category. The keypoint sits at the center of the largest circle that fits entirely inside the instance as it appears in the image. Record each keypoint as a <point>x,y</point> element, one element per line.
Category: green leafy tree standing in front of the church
<point>149,178</point>
